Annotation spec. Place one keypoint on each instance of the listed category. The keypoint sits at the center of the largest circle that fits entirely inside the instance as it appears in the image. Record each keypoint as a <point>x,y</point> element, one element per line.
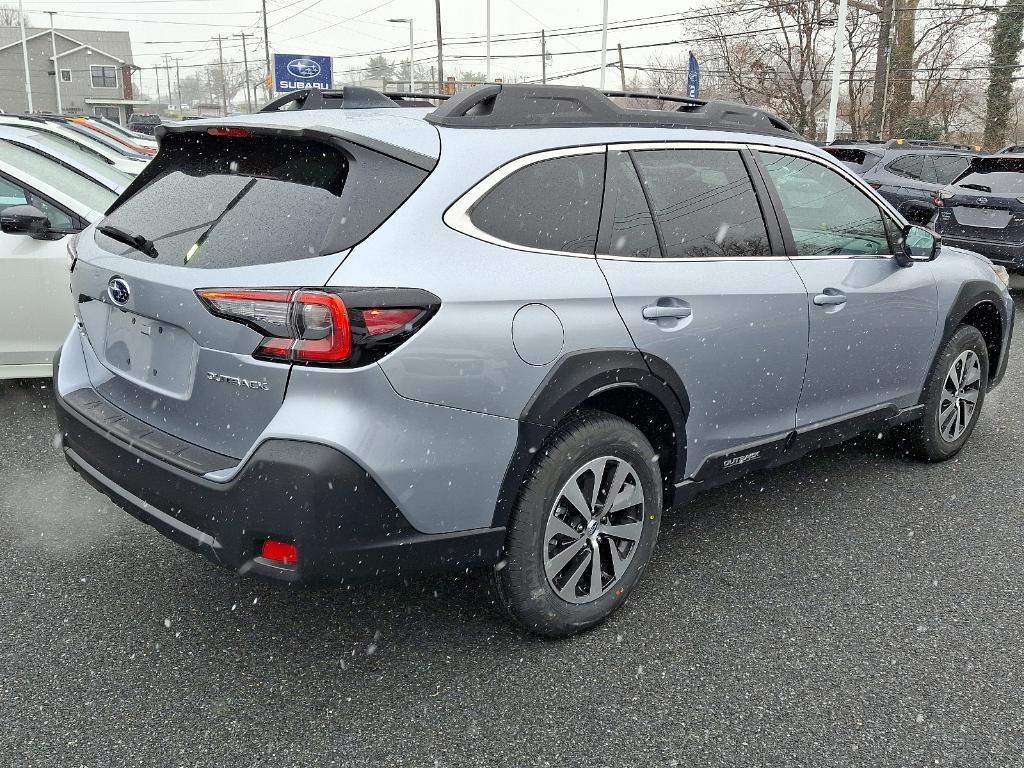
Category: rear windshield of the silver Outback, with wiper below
<point>217,202</point>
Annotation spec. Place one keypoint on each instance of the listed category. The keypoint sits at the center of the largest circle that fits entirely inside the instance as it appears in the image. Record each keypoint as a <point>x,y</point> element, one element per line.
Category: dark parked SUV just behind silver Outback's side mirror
<point>904,170</point>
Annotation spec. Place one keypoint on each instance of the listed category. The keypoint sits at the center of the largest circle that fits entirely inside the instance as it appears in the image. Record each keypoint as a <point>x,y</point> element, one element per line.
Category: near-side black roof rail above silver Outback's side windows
<point>566,106</point>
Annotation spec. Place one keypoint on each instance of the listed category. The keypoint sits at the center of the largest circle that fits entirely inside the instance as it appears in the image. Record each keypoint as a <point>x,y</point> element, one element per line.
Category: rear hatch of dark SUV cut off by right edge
<point>986,203</point>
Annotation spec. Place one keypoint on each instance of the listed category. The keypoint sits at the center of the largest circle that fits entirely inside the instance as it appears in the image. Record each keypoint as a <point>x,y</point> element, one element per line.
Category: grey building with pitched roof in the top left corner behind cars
<point>94,70</point>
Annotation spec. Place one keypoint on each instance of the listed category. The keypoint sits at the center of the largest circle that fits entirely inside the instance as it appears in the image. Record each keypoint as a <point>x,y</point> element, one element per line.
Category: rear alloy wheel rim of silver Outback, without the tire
<point>593,530</point>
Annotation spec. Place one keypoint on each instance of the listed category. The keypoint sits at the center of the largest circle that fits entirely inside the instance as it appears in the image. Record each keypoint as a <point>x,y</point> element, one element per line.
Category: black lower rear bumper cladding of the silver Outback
<point>343,524</point>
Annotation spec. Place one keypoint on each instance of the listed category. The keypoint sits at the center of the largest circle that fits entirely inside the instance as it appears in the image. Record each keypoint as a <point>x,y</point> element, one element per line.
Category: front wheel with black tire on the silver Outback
<point>934,440</point>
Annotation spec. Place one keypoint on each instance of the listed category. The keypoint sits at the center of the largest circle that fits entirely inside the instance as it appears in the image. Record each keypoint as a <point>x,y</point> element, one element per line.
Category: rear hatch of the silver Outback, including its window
<point>259,211</point>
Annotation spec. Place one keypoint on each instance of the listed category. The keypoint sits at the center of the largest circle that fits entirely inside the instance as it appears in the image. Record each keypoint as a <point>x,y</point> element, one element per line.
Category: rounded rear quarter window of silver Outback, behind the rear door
<point>553,205</point>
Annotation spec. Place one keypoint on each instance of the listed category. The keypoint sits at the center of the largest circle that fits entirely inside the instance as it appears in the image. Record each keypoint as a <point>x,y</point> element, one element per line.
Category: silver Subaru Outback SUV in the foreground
<point>356,335</point>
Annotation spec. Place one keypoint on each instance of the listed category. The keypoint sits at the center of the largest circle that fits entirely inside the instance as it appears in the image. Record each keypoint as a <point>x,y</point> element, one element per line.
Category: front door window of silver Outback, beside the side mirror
<point>828,215</point>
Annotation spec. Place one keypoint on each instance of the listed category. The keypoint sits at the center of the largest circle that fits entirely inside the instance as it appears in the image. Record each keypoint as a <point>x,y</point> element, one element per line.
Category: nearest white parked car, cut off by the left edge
<point>44,204</point>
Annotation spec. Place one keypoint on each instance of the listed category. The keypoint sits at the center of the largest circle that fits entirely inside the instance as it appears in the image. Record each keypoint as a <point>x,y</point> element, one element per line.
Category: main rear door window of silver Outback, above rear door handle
<point>704,203</point>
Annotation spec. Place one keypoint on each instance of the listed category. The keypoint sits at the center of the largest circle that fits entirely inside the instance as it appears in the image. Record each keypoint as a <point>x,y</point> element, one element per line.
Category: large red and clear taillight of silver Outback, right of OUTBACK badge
<point>346,327</point>
